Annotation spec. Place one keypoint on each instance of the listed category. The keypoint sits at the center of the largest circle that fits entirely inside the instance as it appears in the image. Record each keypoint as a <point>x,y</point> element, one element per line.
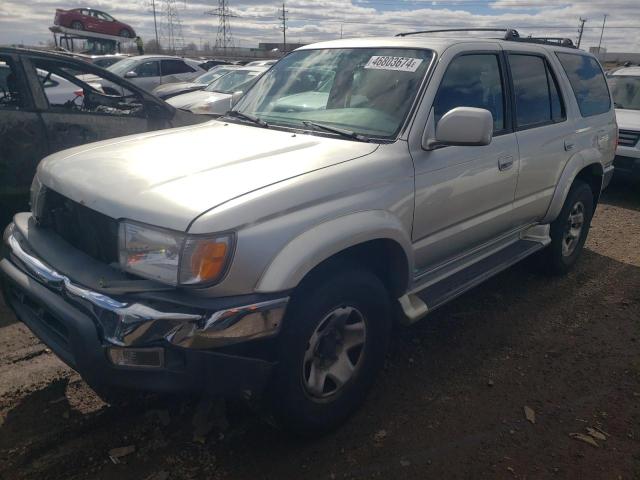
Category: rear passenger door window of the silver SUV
<point>537,98</point>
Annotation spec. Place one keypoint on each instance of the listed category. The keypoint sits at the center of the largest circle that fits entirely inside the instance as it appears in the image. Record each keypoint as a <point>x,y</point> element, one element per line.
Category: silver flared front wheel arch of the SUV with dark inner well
<point>375,239</point>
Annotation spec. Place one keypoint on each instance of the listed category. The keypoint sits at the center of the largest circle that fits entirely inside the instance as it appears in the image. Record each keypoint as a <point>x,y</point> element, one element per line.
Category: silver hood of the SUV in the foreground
<point>170,177</point>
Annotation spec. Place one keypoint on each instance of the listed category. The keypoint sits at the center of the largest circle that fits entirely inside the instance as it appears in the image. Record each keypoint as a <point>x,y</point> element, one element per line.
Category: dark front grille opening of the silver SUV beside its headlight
<point>87,230</point>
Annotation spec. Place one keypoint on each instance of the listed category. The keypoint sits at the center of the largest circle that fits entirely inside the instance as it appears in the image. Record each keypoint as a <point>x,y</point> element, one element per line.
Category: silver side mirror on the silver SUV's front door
<point>462,126</point>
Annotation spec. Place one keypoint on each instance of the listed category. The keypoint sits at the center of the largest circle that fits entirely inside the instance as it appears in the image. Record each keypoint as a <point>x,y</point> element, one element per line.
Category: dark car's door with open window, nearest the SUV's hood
<point>98,110</point>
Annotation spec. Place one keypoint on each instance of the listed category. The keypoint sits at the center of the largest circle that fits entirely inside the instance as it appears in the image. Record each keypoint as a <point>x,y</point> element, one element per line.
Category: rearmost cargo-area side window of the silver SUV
<point>588,83</point>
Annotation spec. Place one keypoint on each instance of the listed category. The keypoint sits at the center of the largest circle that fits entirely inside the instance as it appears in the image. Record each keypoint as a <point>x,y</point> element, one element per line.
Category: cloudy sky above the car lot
<point>27,21</point>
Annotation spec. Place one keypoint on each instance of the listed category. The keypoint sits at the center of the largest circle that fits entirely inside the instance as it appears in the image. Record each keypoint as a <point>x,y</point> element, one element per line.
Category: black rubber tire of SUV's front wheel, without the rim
<point>293,406</point>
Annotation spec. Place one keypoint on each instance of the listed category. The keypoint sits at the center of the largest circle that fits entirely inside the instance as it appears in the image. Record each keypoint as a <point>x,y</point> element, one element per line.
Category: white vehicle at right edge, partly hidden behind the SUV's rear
<point>624,84</point>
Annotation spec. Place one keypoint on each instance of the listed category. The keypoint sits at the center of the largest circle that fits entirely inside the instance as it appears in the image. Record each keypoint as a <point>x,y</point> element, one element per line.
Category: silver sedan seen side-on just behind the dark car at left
<point>149,71</point>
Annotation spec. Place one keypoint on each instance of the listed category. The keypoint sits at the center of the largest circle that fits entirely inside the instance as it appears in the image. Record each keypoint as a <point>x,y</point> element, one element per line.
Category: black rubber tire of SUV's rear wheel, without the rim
<point>557,259</point>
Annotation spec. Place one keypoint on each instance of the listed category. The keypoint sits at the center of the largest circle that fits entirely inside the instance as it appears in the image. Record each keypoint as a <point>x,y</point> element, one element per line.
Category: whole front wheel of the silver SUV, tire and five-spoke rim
<point>333,344</point>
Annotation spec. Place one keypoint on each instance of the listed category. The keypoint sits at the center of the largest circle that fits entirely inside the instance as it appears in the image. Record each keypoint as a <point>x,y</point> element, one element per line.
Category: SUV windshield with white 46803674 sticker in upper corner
<point>367,91</point>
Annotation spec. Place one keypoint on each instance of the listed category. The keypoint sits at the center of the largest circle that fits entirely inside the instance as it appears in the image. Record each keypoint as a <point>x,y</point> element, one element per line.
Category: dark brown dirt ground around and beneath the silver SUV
<point>449,404</point>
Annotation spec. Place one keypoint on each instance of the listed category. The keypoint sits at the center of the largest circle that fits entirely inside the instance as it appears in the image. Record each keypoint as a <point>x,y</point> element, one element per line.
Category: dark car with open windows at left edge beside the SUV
<point>46,105</point>
